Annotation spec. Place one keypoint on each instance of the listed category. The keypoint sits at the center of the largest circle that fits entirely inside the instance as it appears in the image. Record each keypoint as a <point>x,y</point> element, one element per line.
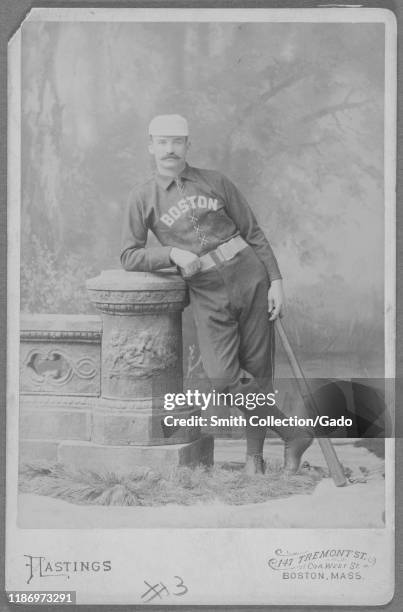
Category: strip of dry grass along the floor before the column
<point>223,483</point>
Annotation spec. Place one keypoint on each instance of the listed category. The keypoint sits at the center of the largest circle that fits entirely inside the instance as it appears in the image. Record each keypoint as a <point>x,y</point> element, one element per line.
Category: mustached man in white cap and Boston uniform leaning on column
<point>207,229</point>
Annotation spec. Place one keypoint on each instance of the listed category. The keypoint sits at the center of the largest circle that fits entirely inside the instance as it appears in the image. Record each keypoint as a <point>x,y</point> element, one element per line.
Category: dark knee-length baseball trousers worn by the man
<point>230,309</point>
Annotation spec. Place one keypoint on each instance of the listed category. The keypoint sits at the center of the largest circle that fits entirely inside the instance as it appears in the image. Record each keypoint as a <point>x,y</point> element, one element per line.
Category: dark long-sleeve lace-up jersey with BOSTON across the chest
<point>197,213</point>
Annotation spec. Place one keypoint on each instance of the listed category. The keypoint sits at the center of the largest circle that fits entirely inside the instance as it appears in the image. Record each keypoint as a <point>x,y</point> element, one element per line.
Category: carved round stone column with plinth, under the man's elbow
<point>141,360</point>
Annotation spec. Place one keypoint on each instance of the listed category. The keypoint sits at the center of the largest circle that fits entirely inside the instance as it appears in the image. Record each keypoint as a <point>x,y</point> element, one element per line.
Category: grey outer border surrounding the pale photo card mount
<point>13,15</point>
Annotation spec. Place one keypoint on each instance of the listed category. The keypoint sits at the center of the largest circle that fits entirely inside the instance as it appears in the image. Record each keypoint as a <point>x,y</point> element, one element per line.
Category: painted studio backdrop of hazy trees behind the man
<point>292,113</point>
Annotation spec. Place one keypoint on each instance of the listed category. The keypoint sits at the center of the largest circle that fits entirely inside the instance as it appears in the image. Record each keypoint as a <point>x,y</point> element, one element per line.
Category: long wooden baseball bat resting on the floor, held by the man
<point>333,463</point>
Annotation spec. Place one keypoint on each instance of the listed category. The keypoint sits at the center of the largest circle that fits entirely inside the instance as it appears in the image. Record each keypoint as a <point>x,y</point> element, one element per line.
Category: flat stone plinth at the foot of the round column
<point>124,459</point>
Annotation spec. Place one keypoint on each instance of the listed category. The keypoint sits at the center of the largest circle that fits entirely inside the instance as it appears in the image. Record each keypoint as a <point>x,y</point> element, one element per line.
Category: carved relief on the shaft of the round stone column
<point>139,356</point>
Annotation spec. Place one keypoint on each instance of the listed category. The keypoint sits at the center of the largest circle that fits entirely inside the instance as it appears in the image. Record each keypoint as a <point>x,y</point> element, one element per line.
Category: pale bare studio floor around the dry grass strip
<point>358,505</point>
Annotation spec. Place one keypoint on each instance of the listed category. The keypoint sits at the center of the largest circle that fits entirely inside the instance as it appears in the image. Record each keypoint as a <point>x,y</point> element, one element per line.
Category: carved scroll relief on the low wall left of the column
<point>56,367</point>
